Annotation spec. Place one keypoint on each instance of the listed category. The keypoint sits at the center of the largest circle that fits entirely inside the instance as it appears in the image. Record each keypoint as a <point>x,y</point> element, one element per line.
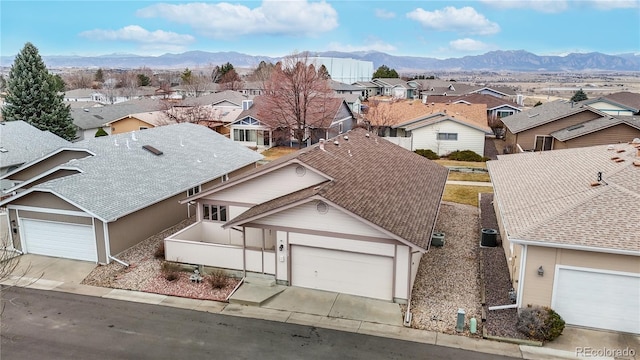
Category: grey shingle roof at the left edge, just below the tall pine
<point>24,143</point>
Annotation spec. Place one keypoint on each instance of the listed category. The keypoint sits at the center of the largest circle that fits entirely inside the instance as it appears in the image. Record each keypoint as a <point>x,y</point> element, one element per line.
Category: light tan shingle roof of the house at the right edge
<point>547,198</point>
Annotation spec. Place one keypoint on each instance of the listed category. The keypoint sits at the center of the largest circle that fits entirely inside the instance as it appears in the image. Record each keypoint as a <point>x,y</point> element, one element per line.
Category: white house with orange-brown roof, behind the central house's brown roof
<point>440,127</point>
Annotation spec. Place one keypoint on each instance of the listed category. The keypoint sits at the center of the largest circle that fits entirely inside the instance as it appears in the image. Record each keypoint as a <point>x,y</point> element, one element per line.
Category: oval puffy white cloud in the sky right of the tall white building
<point>464,20</point>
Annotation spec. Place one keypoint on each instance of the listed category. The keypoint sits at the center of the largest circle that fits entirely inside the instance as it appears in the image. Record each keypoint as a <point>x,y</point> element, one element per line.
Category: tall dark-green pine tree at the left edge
<point>32,96</point>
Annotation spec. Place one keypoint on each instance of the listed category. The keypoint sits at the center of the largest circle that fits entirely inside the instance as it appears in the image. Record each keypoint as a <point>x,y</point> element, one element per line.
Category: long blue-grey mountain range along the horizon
<point>513,60</point>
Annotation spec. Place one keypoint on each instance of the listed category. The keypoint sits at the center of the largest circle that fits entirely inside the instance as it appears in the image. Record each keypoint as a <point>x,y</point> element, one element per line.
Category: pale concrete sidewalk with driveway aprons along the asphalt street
<point>316,308</point>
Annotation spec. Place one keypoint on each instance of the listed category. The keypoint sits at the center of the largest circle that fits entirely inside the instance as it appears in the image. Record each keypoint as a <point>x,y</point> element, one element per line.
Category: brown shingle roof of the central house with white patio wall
<point>371,178</point>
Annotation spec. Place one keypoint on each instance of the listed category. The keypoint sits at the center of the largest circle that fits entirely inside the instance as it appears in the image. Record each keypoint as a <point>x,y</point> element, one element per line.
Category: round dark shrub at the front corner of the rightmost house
<point>540,323</point>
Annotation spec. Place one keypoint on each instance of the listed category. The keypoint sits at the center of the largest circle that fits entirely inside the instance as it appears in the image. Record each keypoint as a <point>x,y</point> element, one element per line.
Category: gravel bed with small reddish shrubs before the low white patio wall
<point>144,272</point>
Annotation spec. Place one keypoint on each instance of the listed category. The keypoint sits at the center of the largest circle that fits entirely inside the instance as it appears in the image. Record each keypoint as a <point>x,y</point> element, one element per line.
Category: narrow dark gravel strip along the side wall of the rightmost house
<point>500,323</point>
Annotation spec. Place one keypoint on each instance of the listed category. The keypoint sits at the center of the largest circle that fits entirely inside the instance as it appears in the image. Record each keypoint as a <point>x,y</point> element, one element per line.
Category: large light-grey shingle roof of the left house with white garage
<point>123,177</point>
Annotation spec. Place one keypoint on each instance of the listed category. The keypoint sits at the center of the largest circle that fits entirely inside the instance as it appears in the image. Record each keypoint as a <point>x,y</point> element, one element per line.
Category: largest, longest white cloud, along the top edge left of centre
<point>224,20</point>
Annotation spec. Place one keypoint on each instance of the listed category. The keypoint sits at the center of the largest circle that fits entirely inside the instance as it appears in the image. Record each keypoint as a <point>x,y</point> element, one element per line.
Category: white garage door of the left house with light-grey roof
<point>71,241</point>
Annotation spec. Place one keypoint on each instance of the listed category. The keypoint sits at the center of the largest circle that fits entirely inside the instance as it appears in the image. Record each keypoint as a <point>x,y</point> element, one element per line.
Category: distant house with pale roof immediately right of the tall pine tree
<point>91,118</point>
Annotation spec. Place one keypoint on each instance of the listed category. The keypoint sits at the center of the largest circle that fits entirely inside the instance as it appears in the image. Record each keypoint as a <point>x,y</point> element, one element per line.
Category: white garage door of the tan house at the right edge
<point>586,297</point>
